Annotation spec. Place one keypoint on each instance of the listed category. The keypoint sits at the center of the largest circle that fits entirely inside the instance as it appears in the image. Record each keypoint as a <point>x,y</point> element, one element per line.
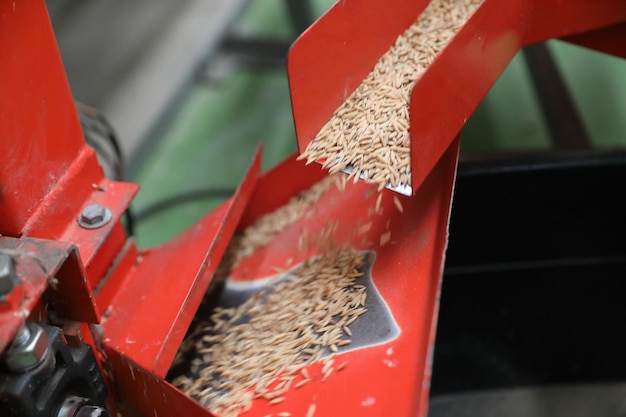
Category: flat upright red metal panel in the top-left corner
<point>39,129</point>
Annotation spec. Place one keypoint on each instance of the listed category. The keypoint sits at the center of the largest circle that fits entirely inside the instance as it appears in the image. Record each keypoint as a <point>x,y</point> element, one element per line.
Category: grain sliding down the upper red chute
<point>370,131</point>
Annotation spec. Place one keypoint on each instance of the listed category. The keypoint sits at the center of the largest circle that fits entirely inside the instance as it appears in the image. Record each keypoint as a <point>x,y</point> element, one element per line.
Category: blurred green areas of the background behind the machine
<point>214,132</point>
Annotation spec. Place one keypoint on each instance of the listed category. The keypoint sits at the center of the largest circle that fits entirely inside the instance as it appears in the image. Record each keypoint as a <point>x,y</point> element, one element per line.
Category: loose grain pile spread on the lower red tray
<point>260,348</point>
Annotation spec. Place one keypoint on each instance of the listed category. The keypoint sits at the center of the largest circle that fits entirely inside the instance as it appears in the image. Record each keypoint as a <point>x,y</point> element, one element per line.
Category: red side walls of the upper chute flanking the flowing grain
<point>355,34</point>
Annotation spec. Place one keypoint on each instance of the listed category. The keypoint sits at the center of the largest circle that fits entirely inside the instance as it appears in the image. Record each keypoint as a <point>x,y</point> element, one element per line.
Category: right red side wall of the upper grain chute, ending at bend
<point>447,93</point>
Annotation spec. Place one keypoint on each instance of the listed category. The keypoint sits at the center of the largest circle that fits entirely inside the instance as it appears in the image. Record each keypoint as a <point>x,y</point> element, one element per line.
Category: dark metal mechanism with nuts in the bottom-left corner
<point>64,372</point>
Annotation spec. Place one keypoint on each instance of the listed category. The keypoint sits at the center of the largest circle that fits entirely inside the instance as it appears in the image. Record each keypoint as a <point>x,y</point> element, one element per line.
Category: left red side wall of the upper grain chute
<point>331,58</point>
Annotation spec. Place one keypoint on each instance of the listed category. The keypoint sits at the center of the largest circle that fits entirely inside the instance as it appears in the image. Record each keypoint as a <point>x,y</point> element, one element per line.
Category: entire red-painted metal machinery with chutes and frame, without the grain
<point>88,322</point>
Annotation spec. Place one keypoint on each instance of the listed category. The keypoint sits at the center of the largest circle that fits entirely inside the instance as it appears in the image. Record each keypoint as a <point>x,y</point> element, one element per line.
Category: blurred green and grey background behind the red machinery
<point>192,86</point>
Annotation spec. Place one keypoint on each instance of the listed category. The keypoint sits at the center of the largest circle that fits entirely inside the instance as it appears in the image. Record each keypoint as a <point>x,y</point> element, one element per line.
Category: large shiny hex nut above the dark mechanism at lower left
<point>28,349</point>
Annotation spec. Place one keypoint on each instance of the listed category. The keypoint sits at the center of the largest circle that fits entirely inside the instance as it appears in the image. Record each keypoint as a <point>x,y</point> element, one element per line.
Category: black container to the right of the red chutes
<point>534,289</point>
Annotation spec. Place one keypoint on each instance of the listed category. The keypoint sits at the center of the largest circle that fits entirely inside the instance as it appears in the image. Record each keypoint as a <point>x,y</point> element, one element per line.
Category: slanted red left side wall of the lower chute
<point>170,281</point>
